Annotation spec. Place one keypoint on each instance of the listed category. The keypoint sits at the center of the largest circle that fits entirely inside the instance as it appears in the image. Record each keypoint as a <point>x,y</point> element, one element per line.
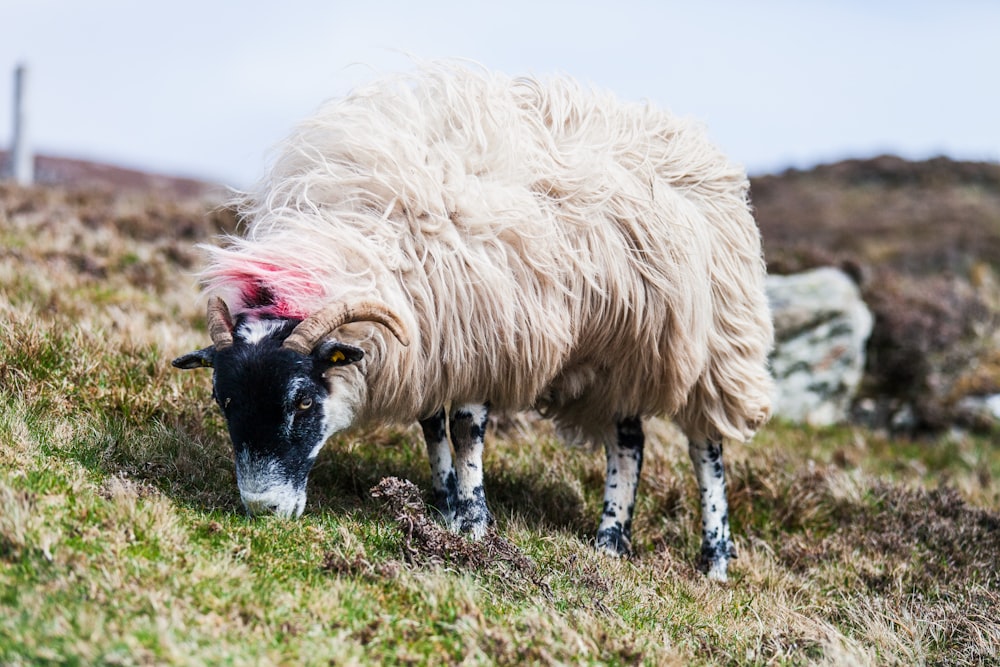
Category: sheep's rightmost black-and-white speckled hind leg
<point>717,547</point>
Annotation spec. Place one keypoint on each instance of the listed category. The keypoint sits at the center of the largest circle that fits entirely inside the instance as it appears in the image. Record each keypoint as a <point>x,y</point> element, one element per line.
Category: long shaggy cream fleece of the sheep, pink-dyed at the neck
<point>546,245</point>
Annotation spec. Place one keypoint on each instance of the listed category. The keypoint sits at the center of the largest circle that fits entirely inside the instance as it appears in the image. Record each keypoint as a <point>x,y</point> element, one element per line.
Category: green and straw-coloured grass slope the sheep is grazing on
<point>122,540</point>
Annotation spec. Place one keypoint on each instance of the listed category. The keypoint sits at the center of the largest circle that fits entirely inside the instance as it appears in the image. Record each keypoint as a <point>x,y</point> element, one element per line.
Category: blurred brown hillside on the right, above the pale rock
<point>920,218</point>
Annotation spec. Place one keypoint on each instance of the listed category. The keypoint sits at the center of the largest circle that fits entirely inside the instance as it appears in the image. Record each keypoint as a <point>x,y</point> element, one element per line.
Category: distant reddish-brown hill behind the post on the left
<point>74,173</point>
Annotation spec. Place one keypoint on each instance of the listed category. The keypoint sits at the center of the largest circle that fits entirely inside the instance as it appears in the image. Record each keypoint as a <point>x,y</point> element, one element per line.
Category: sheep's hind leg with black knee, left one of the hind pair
<point>614,535</point>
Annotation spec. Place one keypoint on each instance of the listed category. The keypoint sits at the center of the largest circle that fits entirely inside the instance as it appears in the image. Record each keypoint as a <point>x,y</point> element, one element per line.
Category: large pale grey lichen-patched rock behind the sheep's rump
<point>821,329</point>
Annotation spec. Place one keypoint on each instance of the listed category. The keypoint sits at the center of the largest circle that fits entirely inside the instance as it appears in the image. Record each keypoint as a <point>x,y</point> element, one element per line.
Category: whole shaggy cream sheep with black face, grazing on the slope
<point>441,244</point>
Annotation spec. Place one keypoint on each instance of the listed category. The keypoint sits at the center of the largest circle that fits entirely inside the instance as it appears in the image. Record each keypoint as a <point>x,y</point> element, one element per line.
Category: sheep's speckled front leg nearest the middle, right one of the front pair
<point>468,427</point>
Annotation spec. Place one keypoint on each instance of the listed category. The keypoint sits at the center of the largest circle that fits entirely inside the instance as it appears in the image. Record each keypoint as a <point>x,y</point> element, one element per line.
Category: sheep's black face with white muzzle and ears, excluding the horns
<point>280,408</point>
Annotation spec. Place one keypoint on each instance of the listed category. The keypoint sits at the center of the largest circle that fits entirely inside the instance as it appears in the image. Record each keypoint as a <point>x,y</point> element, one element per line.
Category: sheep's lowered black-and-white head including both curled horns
<point>284,386</point>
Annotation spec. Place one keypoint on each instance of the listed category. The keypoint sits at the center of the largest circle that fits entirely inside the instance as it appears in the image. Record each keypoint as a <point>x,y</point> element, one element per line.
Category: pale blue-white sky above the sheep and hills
<point>205,88</point>
